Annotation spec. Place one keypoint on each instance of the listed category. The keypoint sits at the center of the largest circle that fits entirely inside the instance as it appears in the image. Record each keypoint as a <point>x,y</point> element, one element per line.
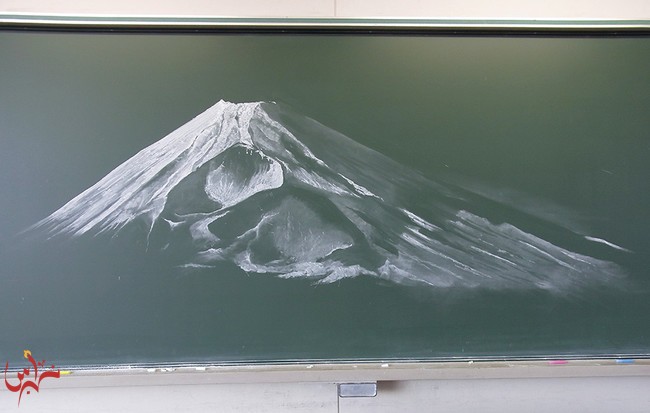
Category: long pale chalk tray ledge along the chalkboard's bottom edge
<point>120,376</point>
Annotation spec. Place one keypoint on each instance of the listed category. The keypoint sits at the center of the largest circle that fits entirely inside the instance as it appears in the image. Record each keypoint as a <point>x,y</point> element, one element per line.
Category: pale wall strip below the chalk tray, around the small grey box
<point>532,395</point>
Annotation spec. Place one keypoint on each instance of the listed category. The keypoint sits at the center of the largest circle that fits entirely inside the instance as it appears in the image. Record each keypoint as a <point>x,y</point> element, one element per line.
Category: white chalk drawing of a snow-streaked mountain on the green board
<point>271,191</point>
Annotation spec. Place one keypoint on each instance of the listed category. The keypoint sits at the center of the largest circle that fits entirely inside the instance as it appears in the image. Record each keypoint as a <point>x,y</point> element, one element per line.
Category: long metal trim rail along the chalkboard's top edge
<point>29,21</point>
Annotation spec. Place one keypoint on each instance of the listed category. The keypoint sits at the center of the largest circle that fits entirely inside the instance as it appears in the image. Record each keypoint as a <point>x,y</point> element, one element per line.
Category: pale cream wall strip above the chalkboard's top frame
<point>475,9</point>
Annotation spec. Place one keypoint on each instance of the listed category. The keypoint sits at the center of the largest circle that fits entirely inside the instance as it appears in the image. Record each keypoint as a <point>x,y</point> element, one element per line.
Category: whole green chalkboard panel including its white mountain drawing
<point>217,198</point>
